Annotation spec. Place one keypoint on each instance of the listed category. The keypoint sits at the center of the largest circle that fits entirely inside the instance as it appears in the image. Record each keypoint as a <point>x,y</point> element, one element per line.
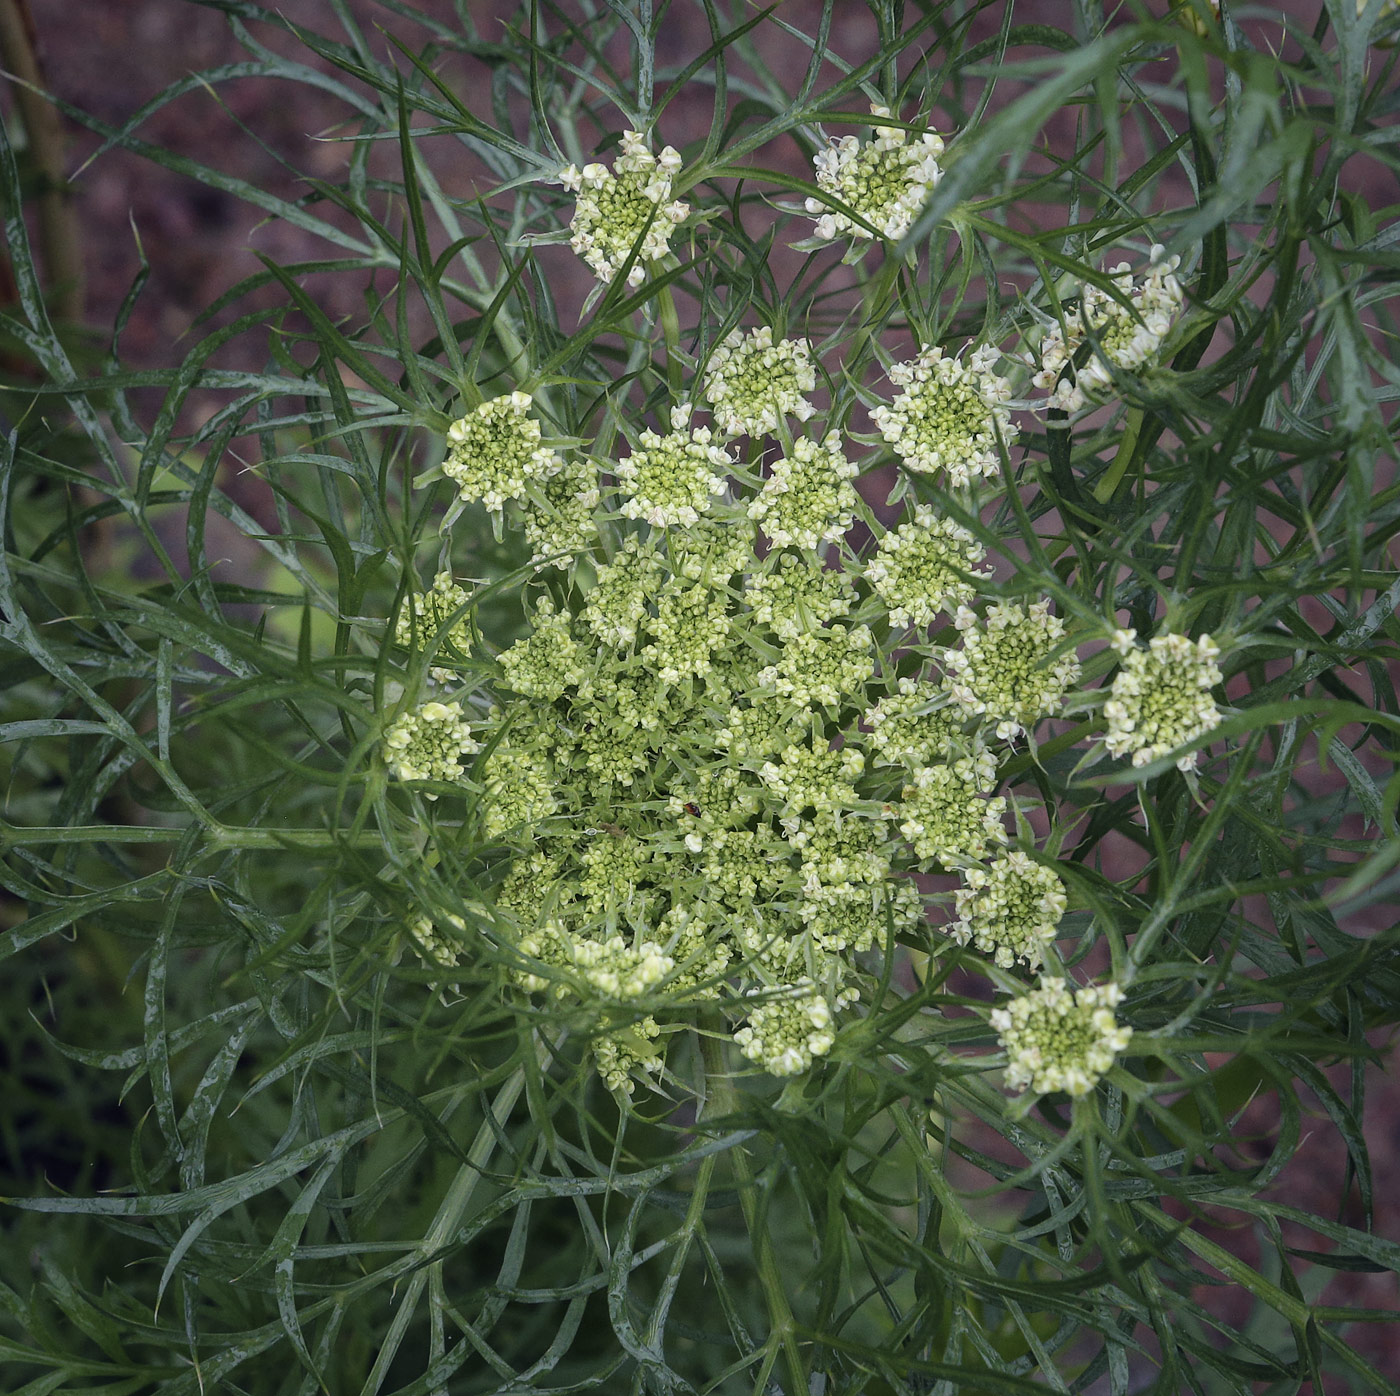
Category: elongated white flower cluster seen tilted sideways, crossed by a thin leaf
<point>1125,331</point>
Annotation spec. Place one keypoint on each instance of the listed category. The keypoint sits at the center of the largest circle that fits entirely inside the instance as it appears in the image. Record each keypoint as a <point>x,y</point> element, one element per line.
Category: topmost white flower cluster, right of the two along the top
<point>887,181</point>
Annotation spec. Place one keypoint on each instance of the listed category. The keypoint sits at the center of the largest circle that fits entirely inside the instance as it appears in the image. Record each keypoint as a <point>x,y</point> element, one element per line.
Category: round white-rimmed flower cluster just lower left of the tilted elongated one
<point>948,415</point>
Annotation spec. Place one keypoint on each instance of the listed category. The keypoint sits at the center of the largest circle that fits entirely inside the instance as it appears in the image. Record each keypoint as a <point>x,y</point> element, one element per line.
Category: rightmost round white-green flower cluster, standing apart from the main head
<point>1161,697</point>
